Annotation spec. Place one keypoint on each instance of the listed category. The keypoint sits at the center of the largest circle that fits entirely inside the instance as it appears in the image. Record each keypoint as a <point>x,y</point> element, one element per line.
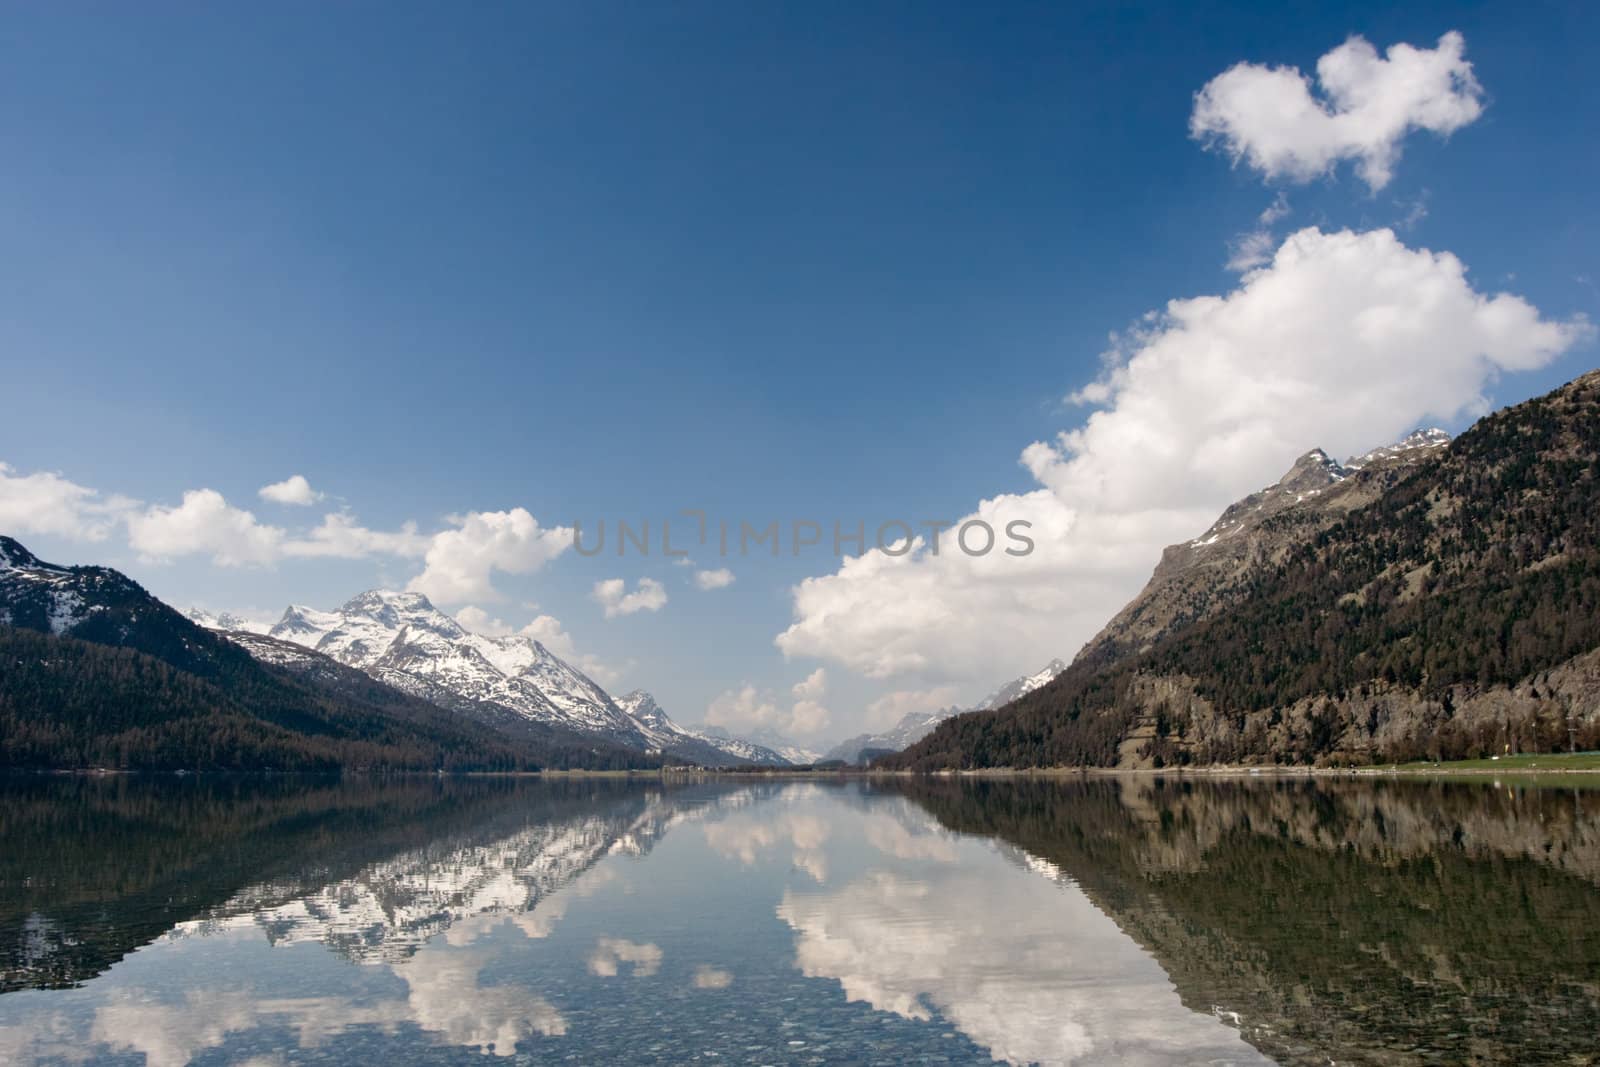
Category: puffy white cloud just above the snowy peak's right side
<point>460,562</point>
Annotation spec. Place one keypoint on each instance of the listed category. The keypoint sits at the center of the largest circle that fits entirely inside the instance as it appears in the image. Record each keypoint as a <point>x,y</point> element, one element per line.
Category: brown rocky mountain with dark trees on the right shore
<point>1425,601</point>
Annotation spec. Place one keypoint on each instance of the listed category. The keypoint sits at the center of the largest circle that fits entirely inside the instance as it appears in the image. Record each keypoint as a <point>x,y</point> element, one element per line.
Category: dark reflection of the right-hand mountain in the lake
<point>1337,921</point>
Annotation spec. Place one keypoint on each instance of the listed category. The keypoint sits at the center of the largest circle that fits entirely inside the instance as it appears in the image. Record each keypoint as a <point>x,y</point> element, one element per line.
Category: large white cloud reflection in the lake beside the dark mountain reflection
<point>1026,969</point>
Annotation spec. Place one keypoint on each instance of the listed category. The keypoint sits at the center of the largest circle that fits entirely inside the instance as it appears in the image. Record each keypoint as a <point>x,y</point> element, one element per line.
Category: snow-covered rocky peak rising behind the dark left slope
<point>404,641</point>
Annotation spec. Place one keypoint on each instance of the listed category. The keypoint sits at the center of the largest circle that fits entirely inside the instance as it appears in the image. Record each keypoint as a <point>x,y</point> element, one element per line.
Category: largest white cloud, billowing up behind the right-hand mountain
<point>1342,342</point>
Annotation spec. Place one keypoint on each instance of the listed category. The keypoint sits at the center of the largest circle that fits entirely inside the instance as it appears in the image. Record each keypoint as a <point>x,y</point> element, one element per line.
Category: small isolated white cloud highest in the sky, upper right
<point>1278,122</point>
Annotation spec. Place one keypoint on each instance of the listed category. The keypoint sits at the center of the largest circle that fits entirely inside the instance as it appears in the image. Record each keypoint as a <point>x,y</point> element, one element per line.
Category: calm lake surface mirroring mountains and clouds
<point>274,922</point>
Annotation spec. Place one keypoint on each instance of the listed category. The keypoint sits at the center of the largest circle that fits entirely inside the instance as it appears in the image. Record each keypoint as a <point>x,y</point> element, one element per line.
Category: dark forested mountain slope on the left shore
<point>98,673</point>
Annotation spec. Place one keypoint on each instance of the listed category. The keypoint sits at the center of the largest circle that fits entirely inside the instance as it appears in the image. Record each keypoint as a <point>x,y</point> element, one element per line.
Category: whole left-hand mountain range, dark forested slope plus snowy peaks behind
<point>98,673</point>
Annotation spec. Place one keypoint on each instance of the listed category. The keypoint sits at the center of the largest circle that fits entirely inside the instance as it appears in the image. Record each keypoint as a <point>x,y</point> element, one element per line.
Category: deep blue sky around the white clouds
<point>599,262</point>
